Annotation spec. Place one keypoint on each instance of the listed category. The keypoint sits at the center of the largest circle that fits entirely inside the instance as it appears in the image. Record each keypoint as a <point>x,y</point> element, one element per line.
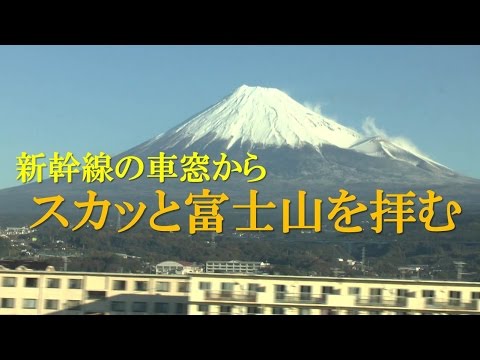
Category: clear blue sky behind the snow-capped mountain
<point>110,98</point>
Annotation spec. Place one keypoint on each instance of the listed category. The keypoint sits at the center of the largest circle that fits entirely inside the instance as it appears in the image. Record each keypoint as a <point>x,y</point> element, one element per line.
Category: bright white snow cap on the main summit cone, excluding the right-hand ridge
<point>263,116</point>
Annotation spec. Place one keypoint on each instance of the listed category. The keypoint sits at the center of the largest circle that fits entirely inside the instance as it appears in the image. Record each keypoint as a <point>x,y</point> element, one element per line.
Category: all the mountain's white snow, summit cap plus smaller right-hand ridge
<point>267,117</point>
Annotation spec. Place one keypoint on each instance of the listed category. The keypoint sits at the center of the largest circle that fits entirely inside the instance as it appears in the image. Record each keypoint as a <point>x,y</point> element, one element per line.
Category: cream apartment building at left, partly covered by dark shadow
<point>50,292</point>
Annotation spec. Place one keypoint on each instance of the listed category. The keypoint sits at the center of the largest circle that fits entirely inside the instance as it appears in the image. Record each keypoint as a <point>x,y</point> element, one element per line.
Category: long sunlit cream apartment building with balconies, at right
<point>294,295</point>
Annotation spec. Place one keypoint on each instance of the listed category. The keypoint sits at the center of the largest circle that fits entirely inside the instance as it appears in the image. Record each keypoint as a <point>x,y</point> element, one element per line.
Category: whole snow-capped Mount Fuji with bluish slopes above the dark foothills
<point>300,149</point>
